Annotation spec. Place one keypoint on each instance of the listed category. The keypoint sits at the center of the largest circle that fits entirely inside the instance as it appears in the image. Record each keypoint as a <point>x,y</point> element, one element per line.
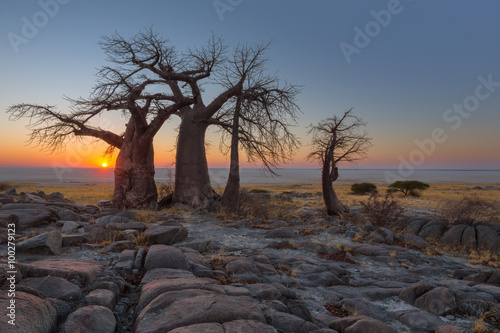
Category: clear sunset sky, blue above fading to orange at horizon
<point>424,75</point>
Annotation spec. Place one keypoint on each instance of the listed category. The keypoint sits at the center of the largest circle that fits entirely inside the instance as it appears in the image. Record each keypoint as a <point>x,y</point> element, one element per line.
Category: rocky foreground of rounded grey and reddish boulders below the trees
<point>99,269</point>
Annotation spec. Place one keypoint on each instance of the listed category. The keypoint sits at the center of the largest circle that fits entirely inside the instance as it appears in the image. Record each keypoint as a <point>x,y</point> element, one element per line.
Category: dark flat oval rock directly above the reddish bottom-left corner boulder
<point>55,287</point>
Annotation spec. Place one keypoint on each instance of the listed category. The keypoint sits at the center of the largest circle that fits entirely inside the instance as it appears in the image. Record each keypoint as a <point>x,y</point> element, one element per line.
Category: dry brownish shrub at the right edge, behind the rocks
<point>468,209</point>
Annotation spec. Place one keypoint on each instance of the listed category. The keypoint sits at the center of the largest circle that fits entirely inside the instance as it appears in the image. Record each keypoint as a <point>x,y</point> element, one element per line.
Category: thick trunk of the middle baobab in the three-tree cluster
<point>192,182</point>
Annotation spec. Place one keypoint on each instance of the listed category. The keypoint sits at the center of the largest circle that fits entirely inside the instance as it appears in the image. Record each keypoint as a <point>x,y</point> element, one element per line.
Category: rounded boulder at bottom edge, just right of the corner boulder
<point>92,318</point>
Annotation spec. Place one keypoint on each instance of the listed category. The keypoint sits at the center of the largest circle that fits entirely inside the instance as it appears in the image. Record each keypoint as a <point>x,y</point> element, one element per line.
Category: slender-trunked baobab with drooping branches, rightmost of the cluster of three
<point>257,119</point>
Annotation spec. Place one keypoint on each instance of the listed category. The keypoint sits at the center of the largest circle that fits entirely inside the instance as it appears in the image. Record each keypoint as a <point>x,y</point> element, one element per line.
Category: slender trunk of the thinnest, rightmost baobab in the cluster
<point>231,196</point>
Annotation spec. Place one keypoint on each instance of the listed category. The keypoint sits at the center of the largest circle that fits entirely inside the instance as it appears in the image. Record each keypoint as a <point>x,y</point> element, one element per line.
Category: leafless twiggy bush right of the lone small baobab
<point>382,211</point>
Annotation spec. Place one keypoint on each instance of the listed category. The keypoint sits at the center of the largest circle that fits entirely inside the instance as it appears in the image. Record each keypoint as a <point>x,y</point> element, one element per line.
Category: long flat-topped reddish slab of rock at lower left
<point>84,272</point>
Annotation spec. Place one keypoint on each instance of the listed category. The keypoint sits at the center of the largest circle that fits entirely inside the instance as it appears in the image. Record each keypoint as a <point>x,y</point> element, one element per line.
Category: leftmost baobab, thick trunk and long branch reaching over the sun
<point>134,172</point>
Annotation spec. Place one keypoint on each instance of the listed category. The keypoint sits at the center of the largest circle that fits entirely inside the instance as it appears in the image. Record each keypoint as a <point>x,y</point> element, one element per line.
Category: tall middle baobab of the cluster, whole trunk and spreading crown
<point>212,66</point>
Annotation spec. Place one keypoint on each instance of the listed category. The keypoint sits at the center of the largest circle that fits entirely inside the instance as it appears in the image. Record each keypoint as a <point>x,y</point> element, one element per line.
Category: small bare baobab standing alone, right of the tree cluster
<point>336,140</point>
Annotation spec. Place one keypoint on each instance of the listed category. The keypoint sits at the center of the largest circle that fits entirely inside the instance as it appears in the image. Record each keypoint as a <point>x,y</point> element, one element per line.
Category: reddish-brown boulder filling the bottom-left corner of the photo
<point>32,314</point>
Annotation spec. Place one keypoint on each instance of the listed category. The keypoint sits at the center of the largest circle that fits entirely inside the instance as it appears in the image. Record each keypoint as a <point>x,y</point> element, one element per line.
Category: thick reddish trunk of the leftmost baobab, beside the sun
<point>134,173</point>
